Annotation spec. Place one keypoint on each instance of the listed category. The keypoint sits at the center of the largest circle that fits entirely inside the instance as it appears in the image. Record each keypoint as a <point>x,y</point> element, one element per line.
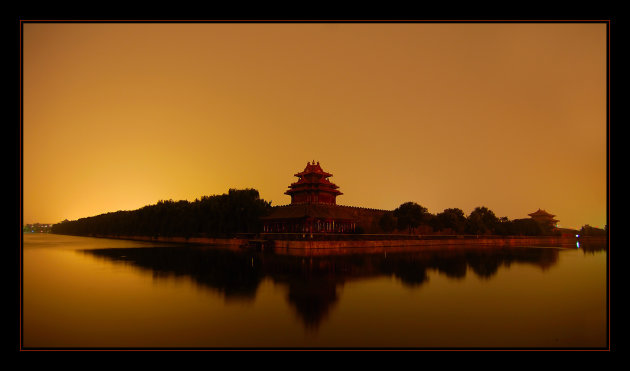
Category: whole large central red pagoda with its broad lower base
<point>314,208</point>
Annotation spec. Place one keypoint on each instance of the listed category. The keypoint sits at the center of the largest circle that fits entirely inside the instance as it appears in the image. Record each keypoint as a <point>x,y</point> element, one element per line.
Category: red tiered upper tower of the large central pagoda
<point>313,186</point>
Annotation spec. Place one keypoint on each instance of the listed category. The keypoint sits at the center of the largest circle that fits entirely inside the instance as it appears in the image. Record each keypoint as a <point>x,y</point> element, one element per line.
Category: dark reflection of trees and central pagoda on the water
<point>313,282</point>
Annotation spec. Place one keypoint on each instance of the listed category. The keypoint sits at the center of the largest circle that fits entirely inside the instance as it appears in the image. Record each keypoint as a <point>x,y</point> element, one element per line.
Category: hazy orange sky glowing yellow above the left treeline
<point>508,116</point>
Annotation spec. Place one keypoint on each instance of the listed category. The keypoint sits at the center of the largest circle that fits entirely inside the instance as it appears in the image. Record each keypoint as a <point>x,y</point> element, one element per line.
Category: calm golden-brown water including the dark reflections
<point>81,292</point>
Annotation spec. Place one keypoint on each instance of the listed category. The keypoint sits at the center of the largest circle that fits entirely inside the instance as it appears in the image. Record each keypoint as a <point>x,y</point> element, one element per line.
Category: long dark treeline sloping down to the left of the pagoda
<point>238,211</point>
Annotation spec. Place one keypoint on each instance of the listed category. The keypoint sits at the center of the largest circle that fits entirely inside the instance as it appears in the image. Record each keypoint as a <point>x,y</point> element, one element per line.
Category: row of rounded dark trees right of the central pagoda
<point>412,217</point>
